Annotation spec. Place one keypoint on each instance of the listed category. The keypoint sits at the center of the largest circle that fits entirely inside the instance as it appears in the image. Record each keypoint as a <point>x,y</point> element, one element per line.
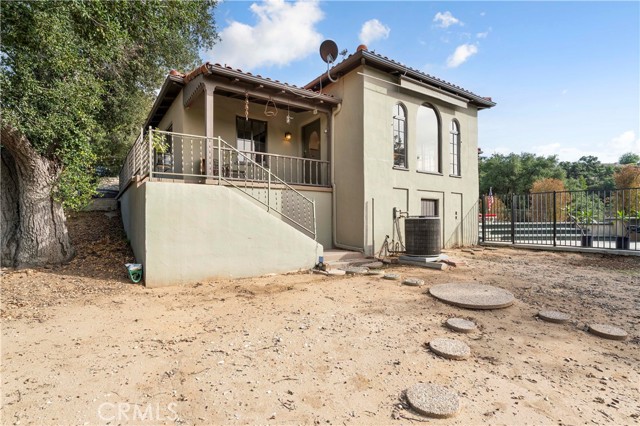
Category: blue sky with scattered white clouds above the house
<point>565,75</point>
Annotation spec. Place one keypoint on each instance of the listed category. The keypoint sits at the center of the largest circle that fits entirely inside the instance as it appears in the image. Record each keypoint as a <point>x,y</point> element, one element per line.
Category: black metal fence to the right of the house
<point>589,219</point>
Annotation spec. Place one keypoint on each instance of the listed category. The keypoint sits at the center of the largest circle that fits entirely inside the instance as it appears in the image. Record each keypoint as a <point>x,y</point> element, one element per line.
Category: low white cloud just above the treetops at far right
<point>608,152</point>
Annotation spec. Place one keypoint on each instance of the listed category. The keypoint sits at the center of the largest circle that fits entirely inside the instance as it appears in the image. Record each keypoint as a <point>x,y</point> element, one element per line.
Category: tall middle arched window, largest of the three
<point>428,140</point>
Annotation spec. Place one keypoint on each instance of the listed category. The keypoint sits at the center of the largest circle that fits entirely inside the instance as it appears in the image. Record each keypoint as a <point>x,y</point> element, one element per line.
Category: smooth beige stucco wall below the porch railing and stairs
<point>199,232</point>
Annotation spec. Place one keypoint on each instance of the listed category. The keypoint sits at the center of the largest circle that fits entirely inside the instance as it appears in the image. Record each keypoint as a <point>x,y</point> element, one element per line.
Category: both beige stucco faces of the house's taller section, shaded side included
<point>383,186</point>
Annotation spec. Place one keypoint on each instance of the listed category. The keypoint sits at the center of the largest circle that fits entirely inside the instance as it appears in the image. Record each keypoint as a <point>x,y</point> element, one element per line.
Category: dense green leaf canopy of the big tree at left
<point>77,77</point>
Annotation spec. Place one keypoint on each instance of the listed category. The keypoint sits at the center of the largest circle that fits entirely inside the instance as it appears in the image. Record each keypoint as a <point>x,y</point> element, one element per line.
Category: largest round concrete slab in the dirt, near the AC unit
<point>473,296</point>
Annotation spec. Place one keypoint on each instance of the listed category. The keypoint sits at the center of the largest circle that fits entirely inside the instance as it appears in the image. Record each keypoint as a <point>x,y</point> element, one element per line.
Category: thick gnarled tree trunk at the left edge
<point>34,232</point>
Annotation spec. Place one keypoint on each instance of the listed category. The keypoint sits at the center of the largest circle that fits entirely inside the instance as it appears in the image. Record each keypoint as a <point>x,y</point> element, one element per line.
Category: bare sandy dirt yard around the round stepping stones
<point>83,345</point>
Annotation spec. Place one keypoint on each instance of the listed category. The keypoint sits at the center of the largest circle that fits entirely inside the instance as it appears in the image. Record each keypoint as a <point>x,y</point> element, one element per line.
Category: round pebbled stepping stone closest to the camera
<point>433,400</point>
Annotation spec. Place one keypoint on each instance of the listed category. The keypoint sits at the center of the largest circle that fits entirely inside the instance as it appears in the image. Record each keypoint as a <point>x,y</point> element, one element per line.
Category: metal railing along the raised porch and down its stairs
<point>198,159</point>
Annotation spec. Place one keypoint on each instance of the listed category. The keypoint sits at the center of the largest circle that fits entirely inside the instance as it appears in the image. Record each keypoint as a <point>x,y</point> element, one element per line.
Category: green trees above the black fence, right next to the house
<point>516,173</point>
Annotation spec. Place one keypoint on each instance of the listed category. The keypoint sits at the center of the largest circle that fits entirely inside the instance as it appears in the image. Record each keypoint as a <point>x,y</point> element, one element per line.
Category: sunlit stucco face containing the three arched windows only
<point>385,187</point>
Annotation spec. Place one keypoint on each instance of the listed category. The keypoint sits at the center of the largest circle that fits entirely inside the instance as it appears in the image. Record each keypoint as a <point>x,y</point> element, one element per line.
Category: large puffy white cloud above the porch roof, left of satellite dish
<point>284,32</point>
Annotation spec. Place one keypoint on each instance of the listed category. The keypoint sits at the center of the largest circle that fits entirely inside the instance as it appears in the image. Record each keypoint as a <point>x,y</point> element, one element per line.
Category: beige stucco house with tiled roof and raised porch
<point>246,175</point>
